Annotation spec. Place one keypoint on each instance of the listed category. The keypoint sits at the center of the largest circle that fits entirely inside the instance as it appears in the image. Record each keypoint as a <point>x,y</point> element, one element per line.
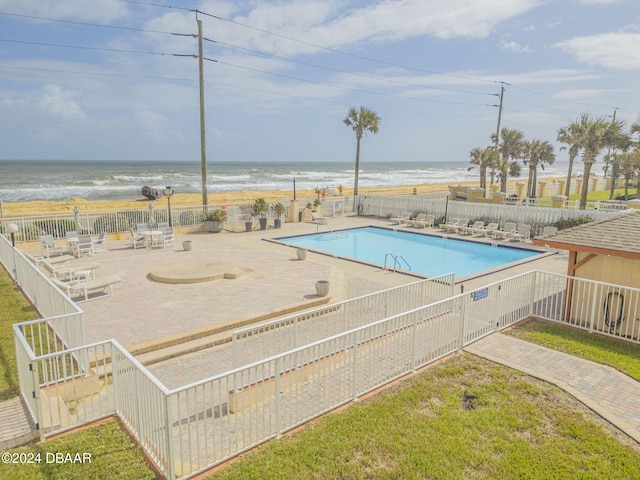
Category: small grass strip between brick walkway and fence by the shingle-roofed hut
<point>620,355</point>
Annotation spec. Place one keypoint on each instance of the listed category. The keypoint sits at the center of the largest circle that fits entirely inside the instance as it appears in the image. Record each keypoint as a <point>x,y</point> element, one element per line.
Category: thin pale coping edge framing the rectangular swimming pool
<point>541,253</point>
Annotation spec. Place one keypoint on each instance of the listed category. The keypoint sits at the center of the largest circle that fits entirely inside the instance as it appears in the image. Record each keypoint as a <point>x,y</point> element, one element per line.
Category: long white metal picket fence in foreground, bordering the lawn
<point>189,429</point>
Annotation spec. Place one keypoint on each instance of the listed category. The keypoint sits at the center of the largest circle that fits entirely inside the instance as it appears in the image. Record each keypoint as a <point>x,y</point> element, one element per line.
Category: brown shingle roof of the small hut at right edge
<point>617,234</point>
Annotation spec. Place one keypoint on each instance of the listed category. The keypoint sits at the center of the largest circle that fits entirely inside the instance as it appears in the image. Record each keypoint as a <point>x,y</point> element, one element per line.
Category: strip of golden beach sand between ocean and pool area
<point>16,209</point>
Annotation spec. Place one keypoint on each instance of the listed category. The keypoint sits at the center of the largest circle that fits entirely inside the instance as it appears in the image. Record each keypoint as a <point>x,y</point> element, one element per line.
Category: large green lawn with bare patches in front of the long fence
<point>517,427</point>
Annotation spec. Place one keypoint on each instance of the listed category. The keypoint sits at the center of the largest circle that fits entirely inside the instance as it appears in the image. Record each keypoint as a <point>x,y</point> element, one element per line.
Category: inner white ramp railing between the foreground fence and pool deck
<point>275,336</point>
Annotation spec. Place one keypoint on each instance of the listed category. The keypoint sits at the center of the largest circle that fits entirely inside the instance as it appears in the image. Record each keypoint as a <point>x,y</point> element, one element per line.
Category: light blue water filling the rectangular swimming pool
<point>424,254</point>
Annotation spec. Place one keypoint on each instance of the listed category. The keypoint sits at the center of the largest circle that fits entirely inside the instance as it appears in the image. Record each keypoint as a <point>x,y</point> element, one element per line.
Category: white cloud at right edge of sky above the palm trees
<point>611,50</point>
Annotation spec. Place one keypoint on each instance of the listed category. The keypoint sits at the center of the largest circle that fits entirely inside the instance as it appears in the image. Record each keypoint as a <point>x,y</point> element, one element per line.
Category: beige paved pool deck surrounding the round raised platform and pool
<point>143,314</point>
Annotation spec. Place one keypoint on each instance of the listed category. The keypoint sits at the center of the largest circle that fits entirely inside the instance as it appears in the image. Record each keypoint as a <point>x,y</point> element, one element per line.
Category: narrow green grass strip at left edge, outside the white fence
<point>14,308</point>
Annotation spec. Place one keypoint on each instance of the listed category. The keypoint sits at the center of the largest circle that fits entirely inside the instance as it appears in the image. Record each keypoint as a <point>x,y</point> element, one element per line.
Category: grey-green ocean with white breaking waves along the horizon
<point>28,180</point>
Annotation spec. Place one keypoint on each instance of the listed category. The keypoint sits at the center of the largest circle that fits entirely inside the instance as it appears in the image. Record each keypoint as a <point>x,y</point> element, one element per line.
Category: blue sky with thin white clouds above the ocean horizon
<point>119,80</point>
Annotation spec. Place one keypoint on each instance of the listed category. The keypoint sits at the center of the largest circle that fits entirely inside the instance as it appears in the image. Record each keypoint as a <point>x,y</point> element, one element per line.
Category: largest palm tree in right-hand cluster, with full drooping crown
<point>597,134</point>
